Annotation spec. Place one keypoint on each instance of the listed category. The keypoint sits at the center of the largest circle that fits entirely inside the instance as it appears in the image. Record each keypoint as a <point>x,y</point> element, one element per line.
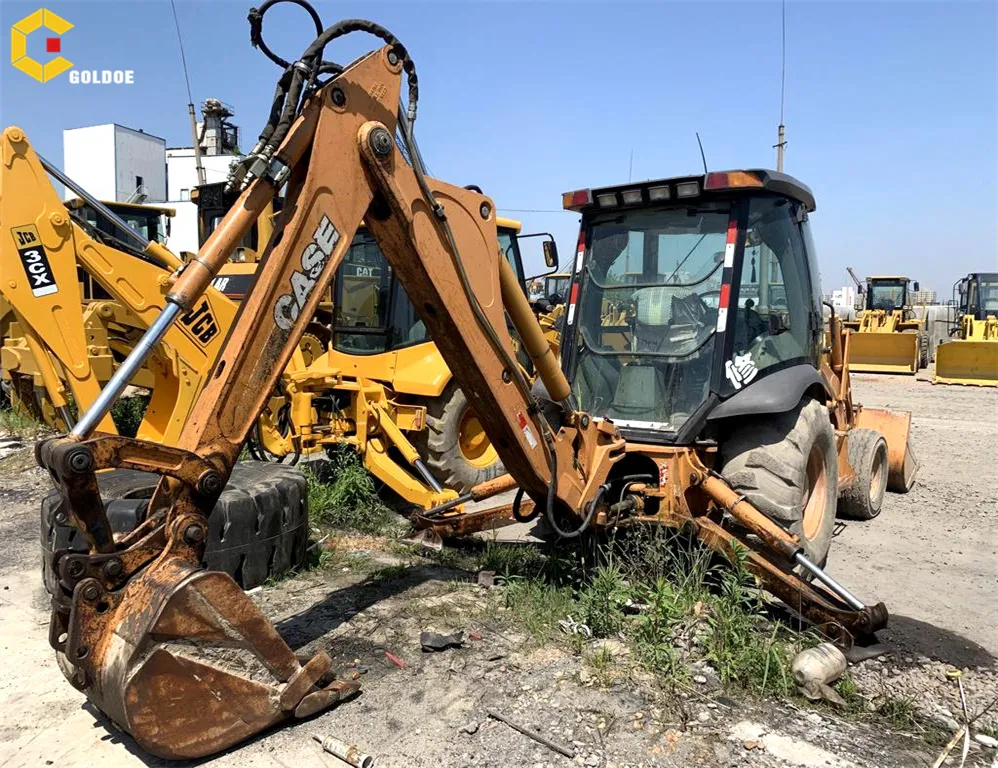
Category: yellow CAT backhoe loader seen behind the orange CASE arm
<point>374,379</point>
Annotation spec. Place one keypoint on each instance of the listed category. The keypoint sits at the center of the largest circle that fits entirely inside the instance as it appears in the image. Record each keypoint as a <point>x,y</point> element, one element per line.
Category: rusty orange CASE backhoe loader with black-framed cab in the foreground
<point>668,433</point>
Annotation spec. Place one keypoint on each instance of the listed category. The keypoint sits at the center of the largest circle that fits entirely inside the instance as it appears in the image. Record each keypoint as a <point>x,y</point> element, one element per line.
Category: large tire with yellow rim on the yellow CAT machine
<point>454,446</point>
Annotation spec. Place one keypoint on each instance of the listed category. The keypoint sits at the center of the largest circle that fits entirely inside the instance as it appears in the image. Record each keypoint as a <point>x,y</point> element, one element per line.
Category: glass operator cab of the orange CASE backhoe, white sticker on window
<point>717,285</point>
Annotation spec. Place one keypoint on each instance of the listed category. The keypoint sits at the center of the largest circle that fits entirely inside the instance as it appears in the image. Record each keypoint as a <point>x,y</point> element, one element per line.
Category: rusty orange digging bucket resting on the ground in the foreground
<point>186,663</point>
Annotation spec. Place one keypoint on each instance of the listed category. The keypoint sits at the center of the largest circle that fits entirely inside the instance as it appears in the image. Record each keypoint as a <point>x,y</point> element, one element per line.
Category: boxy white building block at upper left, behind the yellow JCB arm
<point>113,162</point>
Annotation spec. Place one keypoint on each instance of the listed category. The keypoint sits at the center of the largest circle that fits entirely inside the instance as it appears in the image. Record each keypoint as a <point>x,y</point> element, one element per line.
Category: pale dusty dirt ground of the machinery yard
<point>932,557</point>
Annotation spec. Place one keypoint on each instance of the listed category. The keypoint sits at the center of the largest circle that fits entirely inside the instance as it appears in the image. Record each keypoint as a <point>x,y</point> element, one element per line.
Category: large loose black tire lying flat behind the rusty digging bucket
<point>258,529</point>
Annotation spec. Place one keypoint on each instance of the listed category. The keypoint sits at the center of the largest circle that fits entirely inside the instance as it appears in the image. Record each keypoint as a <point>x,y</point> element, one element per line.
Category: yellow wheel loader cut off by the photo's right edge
<point>971,357</point>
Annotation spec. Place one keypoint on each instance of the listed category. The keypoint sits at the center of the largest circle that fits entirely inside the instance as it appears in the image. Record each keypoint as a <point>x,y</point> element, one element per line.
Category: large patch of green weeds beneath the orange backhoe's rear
<point>672,600</point>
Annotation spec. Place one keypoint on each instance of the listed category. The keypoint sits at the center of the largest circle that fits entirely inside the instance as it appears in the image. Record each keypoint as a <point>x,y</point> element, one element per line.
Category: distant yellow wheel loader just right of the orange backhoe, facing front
<point>887,335</point>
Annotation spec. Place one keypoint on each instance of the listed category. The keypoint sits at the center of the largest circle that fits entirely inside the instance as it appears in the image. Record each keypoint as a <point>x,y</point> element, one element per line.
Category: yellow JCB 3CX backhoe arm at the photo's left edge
<point>138,285</point>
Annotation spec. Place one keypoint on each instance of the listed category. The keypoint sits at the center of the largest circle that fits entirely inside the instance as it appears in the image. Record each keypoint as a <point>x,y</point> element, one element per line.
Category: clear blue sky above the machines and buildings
<point>890,107</point>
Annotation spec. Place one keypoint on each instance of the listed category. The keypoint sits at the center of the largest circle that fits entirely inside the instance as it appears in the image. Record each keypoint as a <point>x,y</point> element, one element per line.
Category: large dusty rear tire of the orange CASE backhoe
<point>786,466</point>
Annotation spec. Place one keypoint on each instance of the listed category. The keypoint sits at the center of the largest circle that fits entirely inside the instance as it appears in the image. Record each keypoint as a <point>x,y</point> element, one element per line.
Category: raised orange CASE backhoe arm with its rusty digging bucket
<point>150,637</point>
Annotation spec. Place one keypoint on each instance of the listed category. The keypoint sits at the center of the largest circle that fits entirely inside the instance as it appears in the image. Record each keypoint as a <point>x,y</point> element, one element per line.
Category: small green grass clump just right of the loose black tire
<point>343,497</point>
